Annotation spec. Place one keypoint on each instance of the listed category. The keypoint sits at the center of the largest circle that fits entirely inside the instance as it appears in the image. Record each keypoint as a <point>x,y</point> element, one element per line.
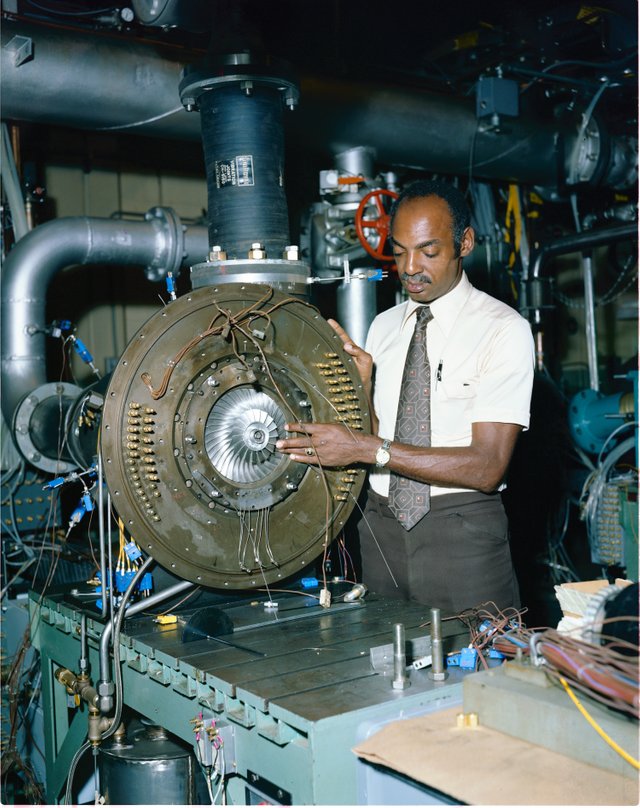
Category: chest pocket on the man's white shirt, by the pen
<point>451,409</point>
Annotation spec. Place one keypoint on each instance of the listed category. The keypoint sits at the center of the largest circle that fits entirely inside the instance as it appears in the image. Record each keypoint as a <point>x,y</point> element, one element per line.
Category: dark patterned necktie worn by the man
<point>410,500</point>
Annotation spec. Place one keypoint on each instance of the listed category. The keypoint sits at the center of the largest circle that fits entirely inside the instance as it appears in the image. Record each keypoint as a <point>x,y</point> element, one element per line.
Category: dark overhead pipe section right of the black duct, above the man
<point>413,128</point>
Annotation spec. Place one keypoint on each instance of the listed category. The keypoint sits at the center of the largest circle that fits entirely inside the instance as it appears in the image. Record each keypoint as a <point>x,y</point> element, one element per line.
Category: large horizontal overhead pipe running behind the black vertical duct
<point>116,83</point>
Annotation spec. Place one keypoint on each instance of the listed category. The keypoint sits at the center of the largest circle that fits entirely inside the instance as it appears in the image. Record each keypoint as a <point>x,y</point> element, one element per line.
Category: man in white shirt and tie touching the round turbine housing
<point>474,396</point>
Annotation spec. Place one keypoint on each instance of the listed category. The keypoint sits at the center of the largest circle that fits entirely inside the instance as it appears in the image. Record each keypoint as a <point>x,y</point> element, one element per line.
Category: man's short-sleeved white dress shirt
<point>481,355</point>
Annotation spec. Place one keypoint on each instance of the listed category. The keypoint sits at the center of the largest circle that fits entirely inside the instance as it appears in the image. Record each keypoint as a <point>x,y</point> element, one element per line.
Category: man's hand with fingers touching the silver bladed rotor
<point>327,445</point>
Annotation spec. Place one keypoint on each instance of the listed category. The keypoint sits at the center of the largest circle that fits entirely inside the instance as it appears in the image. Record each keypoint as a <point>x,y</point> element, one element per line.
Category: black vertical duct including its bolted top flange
<point>241,102</point>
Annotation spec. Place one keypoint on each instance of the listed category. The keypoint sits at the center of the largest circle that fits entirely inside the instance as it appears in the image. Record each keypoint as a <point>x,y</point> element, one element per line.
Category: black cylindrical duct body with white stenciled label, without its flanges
<point>244,155</point>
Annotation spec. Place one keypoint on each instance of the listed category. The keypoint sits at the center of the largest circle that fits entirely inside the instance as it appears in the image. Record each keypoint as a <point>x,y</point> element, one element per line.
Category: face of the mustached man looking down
<point>422,239</point>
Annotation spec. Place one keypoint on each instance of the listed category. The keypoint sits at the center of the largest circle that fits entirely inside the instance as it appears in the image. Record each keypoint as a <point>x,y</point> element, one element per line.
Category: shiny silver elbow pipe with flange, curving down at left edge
<point>159,244</point>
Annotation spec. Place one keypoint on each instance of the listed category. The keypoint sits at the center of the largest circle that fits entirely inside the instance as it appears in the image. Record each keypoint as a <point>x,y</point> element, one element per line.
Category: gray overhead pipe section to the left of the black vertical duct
<point>94,82</point>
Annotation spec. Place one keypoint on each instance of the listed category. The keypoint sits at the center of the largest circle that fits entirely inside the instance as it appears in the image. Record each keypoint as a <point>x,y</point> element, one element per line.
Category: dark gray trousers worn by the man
<point>455,558</point>
